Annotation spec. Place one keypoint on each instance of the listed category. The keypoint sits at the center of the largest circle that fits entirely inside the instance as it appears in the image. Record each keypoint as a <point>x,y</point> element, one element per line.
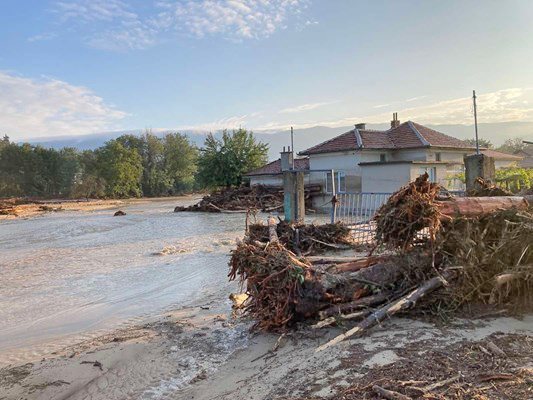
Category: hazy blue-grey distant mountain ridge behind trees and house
<point>303,138</point>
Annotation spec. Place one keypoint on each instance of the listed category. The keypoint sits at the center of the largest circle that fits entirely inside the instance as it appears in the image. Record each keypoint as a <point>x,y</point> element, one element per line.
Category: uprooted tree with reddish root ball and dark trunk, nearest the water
<point>284,288</point>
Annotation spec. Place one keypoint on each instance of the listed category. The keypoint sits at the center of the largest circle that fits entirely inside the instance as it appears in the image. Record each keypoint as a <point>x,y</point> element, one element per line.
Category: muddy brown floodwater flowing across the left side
<point>69,276</point>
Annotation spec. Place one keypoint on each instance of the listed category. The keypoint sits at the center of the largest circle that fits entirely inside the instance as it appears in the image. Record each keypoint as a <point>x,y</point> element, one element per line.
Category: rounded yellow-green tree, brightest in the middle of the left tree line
<point>121,168</point>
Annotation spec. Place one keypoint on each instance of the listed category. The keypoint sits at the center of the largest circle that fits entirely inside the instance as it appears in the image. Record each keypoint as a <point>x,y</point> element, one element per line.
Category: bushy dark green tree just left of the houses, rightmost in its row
<point>223,162</point>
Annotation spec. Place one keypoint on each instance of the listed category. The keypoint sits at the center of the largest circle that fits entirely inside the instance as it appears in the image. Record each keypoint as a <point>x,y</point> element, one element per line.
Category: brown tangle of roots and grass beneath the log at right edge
<point>496,252</point>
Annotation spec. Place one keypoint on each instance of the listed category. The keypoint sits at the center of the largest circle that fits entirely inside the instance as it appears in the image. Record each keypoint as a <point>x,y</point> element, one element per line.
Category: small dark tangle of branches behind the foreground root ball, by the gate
<point>307,239</point>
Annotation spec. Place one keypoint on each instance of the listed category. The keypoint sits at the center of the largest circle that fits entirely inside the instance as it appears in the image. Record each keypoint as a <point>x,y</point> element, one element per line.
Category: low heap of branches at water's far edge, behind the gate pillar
<point>242,199</point>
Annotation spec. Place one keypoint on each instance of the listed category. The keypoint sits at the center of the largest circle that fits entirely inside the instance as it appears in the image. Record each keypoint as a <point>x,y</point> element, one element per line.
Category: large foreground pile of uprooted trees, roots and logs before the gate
<point>441,254</point>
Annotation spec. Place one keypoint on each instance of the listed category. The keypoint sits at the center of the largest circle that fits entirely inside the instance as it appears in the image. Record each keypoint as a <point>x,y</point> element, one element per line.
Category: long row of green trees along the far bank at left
<point>129,166</point>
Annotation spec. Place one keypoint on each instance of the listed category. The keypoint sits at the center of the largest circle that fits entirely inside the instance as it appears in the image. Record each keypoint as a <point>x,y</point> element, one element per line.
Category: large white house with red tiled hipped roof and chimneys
<point>375,161</point>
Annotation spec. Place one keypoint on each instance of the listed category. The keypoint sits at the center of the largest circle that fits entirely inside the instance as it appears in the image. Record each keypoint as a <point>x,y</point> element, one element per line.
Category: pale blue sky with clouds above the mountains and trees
<point>82,66</point>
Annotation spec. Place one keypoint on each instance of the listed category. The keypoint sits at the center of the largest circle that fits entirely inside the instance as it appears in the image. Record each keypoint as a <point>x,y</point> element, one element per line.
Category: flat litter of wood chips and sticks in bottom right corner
<point>497,367</point>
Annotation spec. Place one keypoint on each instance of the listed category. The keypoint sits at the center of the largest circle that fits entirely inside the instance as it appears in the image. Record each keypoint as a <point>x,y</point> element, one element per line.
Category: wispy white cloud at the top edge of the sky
<point>231,19</point>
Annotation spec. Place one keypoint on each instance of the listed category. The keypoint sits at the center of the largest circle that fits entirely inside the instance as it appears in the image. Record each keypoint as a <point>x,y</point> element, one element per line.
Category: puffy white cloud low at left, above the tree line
<point>50,107</point>
